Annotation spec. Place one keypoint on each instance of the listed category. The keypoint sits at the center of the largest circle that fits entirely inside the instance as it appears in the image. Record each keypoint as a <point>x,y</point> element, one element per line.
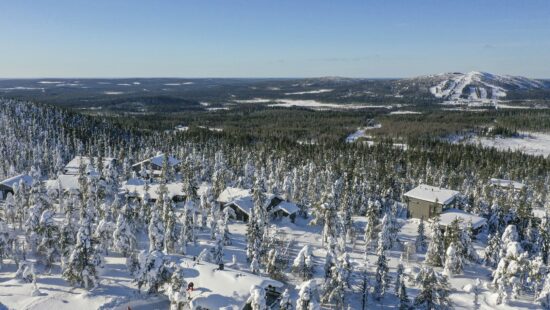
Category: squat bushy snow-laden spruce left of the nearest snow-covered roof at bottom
<point>153,272</point>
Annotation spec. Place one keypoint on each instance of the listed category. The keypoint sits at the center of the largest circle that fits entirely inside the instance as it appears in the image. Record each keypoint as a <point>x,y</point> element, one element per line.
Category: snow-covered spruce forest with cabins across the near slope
<point>146,219</point>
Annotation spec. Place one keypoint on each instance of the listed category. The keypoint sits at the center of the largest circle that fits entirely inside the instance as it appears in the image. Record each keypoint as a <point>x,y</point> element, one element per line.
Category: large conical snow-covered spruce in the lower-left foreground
<point>81,267</point>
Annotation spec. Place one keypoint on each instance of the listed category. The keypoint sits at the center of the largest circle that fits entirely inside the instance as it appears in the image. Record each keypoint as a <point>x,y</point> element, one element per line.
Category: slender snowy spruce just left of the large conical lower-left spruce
<point>48,239</point>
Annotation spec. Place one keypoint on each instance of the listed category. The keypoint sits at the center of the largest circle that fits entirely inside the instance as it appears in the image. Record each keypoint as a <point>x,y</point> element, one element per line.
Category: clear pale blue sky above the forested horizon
<point>277,38</point>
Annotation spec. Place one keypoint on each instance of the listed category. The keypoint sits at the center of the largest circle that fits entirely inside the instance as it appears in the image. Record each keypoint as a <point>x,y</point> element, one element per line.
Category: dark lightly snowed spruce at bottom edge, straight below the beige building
<point>434,291</point>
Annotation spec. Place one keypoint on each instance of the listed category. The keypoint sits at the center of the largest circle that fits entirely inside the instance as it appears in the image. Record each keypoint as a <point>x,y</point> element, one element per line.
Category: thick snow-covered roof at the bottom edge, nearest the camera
<point>221,289</point>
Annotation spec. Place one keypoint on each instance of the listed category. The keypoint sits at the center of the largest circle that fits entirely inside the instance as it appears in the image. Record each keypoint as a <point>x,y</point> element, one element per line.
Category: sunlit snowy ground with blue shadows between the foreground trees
<point>117,291</point>
